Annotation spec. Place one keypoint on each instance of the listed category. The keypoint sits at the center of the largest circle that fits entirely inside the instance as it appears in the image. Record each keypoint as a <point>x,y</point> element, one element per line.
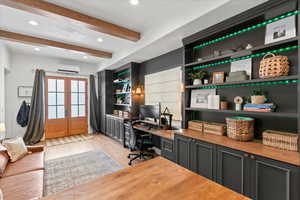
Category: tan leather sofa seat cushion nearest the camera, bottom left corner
<point>23,186</point>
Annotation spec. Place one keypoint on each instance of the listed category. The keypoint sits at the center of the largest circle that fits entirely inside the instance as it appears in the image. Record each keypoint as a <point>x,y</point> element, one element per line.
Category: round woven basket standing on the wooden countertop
<point>240,128</point>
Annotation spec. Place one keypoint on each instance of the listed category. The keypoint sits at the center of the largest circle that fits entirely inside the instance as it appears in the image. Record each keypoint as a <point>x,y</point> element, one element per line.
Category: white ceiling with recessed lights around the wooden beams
<point>162,23</point>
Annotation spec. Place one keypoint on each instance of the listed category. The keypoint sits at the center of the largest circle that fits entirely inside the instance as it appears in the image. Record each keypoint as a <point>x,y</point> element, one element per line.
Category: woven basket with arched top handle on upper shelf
<point>274,66</point>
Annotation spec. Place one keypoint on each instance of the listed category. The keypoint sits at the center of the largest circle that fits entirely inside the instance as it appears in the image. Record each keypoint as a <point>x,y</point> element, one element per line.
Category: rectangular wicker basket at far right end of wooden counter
<point>281,140</point>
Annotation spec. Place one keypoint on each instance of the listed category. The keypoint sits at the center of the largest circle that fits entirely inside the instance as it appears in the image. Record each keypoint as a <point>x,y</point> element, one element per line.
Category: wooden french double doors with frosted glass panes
<point>66,106</point>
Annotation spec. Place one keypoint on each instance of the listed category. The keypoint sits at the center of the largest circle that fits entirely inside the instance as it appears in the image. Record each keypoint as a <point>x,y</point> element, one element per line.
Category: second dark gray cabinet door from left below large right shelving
<point>203,159</point>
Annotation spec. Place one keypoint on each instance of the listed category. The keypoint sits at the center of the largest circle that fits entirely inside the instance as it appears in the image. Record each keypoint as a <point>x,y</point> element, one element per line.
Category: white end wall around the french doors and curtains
<point>21,74</point>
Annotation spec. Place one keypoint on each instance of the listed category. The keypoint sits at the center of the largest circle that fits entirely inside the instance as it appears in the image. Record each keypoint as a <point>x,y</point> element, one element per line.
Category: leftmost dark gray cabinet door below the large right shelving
<point>183,150</point>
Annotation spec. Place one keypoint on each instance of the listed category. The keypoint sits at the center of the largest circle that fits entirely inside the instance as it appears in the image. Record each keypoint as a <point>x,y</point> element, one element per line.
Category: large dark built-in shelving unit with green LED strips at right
<point>247,28</point>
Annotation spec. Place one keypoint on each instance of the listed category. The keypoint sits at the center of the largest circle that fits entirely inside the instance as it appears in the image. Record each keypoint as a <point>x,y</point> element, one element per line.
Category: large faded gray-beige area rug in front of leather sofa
<point>66,172</point>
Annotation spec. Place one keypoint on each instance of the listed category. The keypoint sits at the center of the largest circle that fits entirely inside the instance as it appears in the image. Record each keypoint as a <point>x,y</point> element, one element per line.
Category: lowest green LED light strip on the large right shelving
<point>265,83</point>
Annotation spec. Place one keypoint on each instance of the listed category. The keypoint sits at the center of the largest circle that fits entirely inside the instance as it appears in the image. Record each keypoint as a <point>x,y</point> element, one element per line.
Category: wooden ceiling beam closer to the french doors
<point>40,41</point>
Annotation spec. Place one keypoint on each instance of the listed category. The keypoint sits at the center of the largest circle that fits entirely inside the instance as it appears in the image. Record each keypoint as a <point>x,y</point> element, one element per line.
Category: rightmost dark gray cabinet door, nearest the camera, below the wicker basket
<point>274,180</point>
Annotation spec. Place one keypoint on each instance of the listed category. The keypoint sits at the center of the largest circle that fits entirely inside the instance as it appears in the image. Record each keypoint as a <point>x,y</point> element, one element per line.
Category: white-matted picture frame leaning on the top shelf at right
<point>281,30</point>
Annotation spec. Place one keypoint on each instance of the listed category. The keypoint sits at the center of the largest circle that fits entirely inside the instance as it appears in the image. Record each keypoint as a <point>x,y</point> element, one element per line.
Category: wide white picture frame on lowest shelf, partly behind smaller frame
<point>199,98</point>
